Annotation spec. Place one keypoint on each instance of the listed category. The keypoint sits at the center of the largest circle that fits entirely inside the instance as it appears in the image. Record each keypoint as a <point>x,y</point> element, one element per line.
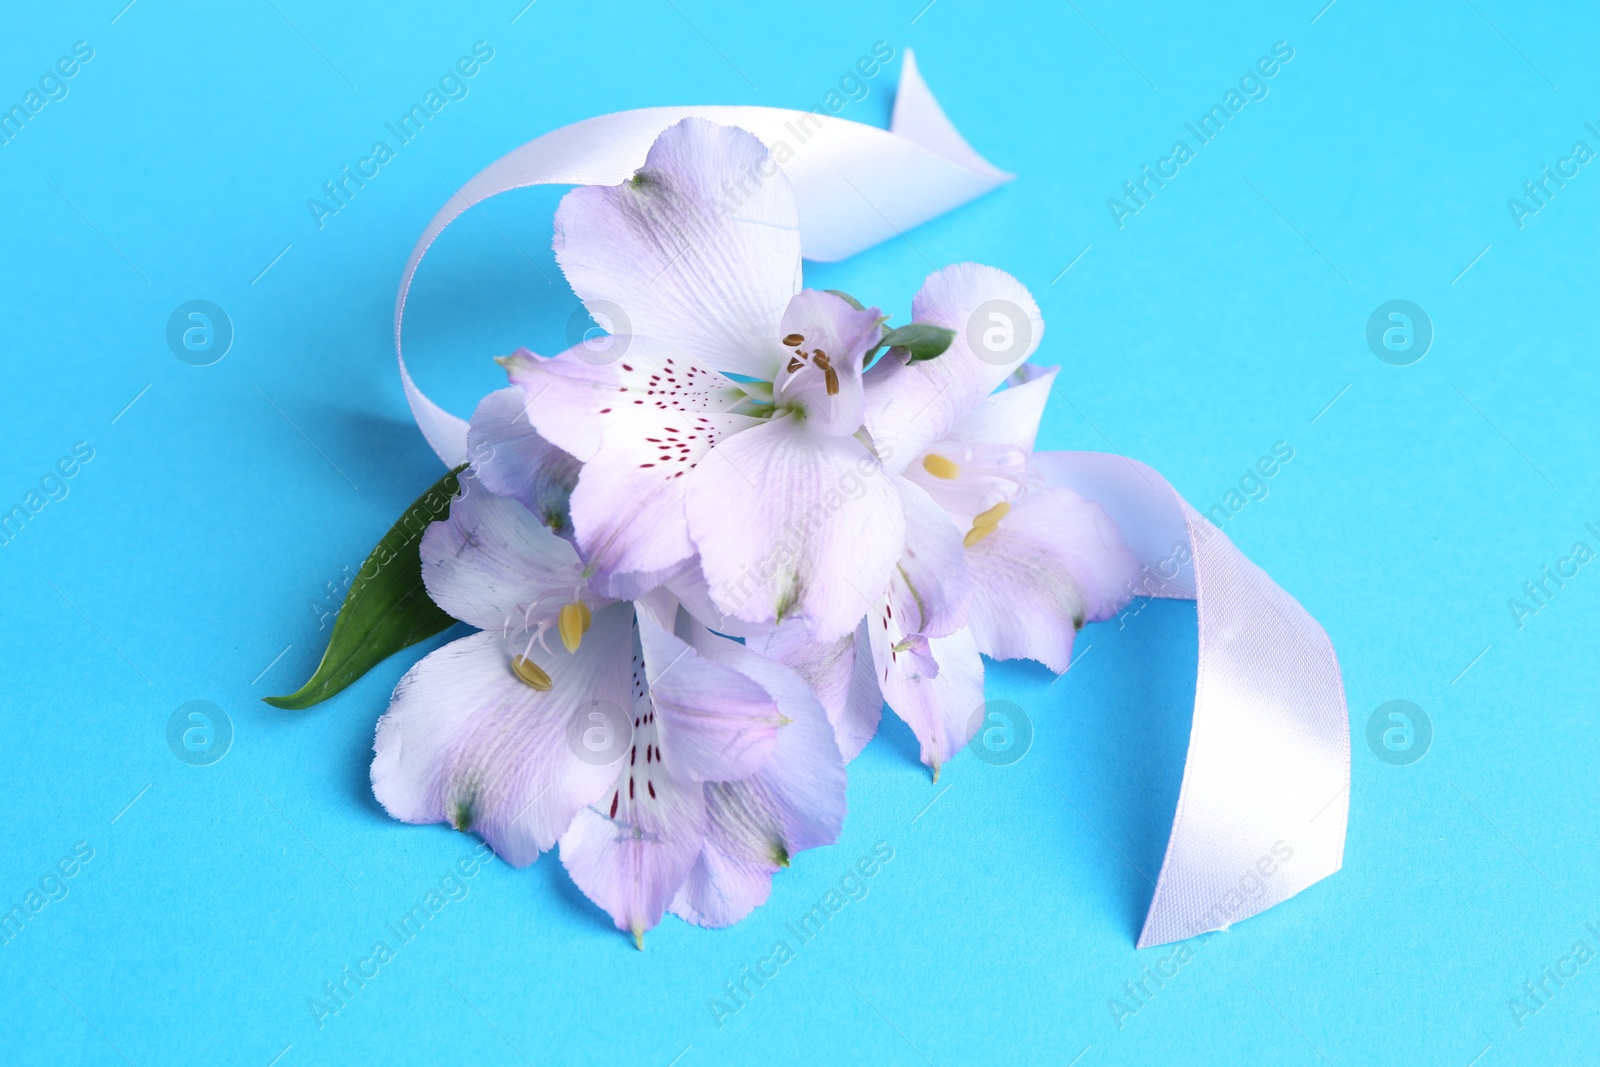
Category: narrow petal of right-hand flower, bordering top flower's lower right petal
<point>930,586</point>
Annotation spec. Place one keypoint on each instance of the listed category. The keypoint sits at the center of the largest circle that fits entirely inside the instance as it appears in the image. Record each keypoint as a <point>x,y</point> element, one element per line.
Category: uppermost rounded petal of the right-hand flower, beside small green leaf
<point>998,326</point>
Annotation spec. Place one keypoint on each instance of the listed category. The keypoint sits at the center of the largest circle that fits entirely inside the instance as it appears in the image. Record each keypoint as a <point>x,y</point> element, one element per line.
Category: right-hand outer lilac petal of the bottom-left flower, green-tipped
<point>758,825</point>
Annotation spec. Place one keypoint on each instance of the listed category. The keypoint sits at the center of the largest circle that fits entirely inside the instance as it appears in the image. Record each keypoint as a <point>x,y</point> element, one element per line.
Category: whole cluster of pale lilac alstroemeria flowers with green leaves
<point>705,549</point>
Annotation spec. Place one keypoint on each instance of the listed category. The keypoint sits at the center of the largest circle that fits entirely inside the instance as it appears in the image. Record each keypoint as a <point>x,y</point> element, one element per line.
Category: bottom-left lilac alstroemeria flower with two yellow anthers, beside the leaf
<point>676,769</point>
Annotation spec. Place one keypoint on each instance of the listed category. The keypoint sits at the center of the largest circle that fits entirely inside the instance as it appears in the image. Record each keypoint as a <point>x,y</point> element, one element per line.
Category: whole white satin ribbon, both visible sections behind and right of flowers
<point>1265,797</point>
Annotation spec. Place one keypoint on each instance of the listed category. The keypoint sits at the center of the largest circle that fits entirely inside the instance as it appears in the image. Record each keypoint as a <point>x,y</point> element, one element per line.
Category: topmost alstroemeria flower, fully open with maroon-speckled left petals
<point>700,254</point>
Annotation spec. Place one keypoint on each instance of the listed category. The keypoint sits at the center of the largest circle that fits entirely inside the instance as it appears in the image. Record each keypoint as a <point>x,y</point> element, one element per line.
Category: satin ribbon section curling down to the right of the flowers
<point>1265,801</point>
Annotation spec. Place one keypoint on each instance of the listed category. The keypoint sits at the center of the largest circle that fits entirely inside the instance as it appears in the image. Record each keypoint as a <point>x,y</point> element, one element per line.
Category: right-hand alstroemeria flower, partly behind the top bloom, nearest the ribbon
<point>996,564</point>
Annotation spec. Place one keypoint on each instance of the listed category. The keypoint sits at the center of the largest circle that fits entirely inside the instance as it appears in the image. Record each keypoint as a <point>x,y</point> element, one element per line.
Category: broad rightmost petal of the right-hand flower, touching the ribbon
<point>1052,564</point>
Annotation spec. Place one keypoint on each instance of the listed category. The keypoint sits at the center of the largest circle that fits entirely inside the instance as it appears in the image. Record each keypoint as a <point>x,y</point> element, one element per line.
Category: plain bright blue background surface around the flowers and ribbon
<point>1223,319</point>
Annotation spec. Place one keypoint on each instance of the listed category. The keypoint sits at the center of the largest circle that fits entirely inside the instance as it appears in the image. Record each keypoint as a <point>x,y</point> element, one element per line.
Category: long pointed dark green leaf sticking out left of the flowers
<point>386,609</point>
